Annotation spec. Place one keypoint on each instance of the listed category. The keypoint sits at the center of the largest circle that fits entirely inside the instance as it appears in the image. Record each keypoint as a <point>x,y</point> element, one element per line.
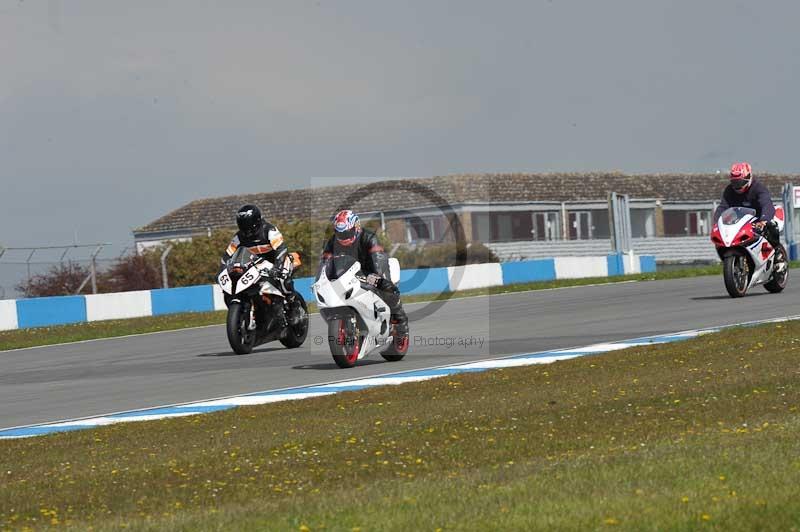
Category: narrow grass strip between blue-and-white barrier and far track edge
<point>21,338</point>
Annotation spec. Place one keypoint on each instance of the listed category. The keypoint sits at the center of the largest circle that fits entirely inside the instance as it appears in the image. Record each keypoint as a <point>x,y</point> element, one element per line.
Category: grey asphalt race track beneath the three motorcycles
<point>91,378</point>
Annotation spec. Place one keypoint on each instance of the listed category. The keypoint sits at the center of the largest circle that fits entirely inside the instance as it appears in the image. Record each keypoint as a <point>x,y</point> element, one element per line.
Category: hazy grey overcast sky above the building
<point>114,113</point>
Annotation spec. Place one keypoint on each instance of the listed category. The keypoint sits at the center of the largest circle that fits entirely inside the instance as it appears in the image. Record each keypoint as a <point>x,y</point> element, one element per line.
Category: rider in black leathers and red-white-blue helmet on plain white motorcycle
<point>350,238</point>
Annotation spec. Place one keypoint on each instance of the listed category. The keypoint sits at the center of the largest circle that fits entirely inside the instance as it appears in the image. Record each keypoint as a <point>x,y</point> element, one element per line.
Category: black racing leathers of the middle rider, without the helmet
<point>370,253</point>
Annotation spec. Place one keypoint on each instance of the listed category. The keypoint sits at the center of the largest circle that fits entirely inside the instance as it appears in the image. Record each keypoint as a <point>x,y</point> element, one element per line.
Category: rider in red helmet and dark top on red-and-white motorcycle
<point>746,191</point>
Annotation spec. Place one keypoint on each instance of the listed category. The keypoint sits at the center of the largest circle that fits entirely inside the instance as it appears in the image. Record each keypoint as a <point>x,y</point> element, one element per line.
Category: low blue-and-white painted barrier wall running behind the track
<point>38,312</point>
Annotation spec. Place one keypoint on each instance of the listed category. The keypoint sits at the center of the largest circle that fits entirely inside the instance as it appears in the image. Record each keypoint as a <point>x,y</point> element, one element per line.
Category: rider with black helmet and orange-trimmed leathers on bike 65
<point>263,240</point>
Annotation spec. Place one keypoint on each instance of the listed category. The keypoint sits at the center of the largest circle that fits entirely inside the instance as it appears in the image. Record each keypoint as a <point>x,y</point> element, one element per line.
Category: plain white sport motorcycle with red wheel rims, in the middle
<point>358,319</point>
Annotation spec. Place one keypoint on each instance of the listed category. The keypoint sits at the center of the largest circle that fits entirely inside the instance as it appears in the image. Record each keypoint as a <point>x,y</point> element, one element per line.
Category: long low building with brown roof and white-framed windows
<point>491,208</point>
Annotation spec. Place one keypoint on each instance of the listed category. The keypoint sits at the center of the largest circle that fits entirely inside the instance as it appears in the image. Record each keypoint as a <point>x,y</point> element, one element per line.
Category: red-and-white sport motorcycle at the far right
<point>748,259</point>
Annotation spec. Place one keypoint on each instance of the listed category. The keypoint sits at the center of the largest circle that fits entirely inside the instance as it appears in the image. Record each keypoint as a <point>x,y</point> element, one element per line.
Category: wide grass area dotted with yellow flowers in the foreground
<point>697,435</point>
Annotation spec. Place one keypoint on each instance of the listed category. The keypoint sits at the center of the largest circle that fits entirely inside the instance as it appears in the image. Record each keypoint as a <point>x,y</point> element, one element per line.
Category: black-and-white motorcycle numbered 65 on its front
<point>258,311</point>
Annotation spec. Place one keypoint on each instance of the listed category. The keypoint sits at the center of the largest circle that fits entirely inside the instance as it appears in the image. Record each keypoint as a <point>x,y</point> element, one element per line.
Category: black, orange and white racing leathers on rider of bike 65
<point>267,242</point>
